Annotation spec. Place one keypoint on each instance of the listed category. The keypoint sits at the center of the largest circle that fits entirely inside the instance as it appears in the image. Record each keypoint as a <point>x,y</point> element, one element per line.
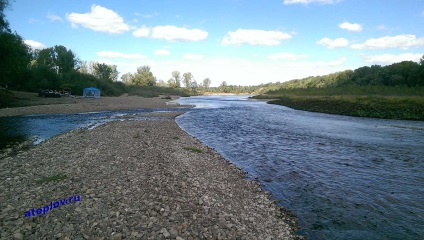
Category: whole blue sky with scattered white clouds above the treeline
<point>243,42</point>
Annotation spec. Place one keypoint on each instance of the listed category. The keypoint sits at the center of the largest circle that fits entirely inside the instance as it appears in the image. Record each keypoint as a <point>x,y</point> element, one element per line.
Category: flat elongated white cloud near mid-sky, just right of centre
<point>255,37</point>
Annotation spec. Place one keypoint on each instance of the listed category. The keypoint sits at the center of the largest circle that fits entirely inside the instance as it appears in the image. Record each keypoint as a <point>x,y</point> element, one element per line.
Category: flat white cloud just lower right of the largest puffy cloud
<point>172,33</point>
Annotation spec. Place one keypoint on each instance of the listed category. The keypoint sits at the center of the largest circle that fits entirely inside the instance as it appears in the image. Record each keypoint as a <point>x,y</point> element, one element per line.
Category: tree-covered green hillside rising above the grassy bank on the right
<point>402,78</point>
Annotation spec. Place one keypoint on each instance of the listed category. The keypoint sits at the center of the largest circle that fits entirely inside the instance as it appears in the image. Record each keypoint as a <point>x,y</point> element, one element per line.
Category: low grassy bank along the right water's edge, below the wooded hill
<point>389,107</point>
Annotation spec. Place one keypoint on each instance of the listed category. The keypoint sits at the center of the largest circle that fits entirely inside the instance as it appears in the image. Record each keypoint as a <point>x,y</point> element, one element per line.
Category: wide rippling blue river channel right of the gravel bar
<point>343,177</point>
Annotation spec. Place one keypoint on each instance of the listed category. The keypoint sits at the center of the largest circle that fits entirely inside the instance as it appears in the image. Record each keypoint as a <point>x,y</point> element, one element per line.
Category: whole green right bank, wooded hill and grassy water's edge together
<point>395,91</point>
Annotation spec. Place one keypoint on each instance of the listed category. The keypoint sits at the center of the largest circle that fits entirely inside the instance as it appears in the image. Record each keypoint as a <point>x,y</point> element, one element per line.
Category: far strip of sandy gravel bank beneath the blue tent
<point>79,105</point>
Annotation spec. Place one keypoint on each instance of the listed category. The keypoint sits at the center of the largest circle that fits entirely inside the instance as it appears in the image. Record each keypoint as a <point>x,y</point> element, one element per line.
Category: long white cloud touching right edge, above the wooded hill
<point>399,41</point>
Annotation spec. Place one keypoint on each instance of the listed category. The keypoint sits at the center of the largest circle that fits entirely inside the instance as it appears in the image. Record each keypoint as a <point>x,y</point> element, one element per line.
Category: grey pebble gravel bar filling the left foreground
<point>136,180</point>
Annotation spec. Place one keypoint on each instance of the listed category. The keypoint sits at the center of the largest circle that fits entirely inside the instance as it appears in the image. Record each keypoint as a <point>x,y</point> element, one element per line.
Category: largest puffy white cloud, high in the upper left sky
<point>100,19</point>
